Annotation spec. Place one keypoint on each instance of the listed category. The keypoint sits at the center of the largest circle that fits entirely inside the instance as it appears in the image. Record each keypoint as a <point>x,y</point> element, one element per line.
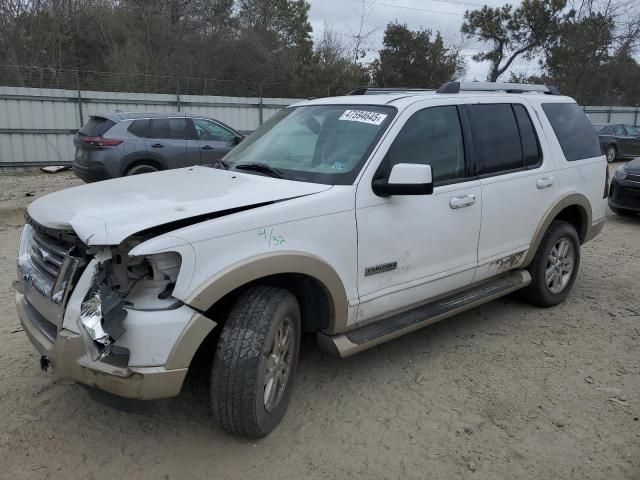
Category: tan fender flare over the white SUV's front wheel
<point>254,268</point>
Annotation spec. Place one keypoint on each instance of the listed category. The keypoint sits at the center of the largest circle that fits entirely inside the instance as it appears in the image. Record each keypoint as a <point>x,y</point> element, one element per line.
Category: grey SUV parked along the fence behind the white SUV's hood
<point>119,144</point>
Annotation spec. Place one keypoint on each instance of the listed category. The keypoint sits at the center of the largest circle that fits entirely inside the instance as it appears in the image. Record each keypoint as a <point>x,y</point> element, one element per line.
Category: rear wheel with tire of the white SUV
<point>555,266</point>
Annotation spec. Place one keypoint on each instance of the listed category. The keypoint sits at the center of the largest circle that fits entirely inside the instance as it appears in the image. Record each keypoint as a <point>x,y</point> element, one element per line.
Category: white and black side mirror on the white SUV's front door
<point>405,179</point>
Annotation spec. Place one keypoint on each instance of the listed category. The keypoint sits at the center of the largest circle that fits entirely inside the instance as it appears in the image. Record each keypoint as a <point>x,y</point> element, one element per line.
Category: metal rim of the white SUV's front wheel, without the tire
<point>279,364</point>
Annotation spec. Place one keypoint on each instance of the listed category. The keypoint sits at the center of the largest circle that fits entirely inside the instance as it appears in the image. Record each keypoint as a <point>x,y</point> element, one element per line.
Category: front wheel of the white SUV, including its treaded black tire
<point>255,361</point>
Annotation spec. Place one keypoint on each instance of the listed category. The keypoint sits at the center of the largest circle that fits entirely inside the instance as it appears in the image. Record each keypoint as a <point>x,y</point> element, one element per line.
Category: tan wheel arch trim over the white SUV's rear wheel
<point>575,209</point>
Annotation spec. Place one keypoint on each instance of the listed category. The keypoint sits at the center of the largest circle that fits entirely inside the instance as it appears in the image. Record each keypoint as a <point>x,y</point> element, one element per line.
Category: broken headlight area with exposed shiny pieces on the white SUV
<point>125,283</point>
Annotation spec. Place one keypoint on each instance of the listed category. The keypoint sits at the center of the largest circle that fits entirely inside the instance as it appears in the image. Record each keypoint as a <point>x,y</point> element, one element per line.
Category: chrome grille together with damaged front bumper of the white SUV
<point>145,352</point>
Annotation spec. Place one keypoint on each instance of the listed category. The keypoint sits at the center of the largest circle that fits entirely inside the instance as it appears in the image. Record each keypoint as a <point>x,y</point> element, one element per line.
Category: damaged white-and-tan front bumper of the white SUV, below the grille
<point>71,361</point>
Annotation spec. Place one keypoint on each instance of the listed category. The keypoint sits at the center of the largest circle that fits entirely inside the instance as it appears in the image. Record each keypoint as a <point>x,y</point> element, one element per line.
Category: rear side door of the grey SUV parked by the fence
<point>169,141</point>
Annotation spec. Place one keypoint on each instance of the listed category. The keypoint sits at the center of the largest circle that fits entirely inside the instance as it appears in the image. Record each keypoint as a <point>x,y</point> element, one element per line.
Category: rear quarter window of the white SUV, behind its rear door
<point>574,131</point>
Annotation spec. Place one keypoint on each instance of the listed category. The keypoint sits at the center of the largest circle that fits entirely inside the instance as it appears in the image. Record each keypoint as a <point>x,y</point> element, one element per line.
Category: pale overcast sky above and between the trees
<point>343,17</point>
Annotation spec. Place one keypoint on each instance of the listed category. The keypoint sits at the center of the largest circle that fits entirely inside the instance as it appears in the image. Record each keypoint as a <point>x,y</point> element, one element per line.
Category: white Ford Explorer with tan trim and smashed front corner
<point>359,218</point>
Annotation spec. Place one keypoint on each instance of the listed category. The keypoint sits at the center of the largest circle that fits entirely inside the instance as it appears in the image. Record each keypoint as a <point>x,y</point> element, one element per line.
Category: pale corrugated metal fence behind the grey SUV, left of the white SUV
<point>37,125</point>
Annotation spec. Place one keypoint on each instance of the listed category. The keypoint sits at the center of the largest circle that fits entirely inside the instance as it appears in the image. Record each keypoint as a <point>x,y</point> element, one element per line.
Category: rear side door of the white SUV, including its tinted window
<point>517,180</point>
